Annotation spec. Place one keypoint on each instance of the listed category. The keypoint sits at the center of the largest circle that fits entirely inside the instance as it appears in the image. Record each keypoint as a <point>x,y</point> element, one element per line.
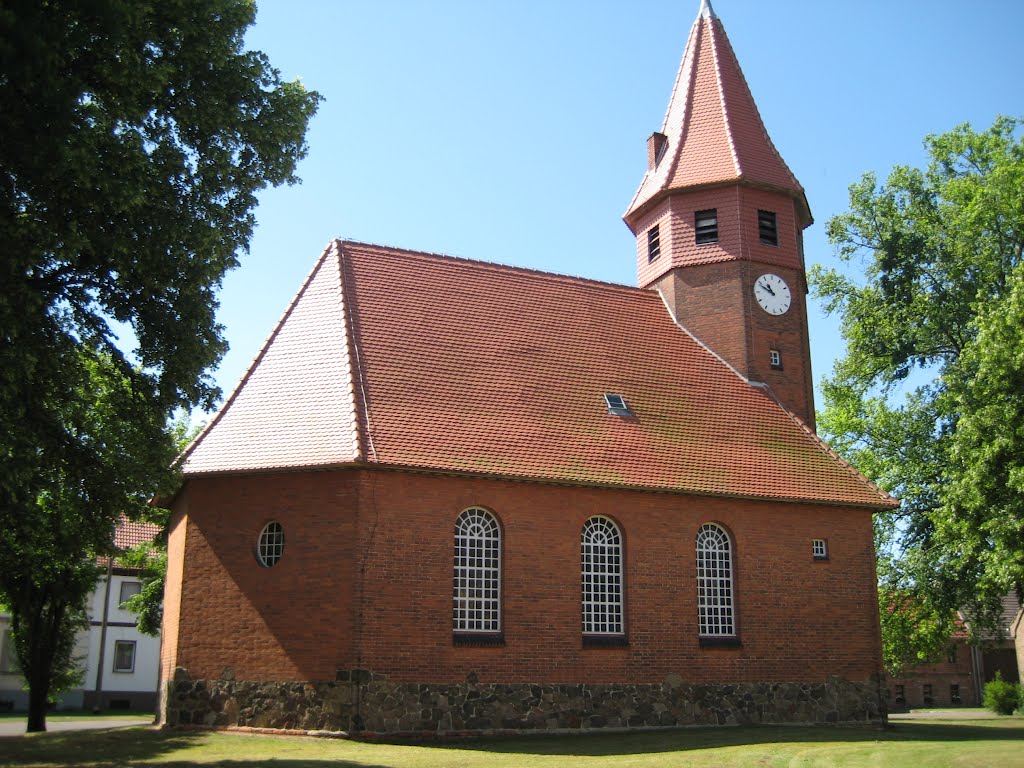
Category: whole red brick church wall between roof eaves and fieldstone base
<point>799,620</point>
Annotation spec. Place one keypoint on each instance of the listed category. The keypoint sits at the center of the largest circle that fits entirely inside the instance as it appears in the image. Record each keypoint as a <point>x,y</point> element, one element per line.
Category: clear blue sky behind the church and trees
<point>517,133</point>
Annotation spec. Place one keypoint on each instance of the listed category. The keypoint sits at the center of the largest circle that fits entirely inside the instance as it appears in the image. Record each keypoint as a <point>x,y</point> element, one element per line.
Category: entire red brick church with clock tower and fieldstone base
<point>454,496</point>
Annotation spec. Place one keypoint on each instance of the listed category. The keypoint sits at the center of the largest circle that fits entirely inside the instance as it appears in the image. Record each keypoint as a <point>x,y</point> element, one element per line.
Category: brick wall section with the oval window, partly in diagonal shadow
<point>291,622</point>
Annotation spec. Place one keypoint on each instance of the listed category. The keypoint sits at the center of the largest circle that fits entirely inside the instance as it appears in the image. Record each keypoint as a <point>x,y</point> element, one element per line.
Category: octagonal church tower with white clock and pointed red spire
<point>719,221</point>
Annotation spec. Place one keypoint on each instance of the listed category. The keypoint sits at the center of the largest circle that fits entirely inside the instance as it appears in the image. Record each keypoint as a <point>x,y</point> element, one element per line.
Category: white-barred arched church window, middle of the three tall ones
<point>602,577</point>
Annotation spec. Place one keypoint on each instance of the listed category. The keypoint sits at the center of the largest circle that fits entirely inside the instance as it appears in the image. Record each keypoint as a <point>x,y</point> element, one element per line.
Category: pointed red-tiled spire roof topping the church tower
<point>713,132</point>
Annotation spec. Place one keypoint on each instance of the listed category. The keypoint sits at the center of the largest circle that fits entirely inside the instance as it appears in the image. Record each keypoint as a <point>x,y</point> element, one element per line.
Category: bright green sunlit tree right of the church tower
<point>933,373</point>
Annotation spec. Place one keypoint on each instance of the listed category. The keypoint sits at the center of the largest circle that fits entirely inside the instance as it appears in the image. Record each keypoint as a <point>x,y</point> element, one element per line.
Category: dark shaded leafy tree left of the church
<point>135,138</point>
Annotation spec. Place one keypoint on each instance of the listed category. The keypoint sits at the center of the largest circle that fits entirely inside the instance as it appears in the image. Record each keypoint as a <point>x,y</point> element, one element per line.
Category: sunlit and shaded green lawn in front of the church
<point>964,744</point>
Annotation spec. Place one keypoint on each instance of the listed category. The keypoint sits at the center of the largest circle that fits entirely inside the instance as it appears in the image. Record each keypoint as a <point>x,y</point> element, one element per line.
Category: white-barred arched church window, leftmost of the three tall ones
<point>477,595</point>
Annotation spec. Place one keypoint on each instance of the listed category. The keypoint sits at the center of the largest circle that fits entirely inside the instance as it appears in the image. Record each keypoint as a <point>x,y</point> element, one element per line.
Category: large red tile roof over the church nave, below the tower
<point>411,360</point>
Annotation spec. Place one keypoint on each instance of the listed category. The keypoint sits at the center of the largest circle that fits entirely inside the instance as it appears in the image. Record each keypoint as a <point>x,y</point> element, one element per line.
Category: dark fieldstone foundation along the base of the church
<point>364,703</point>
